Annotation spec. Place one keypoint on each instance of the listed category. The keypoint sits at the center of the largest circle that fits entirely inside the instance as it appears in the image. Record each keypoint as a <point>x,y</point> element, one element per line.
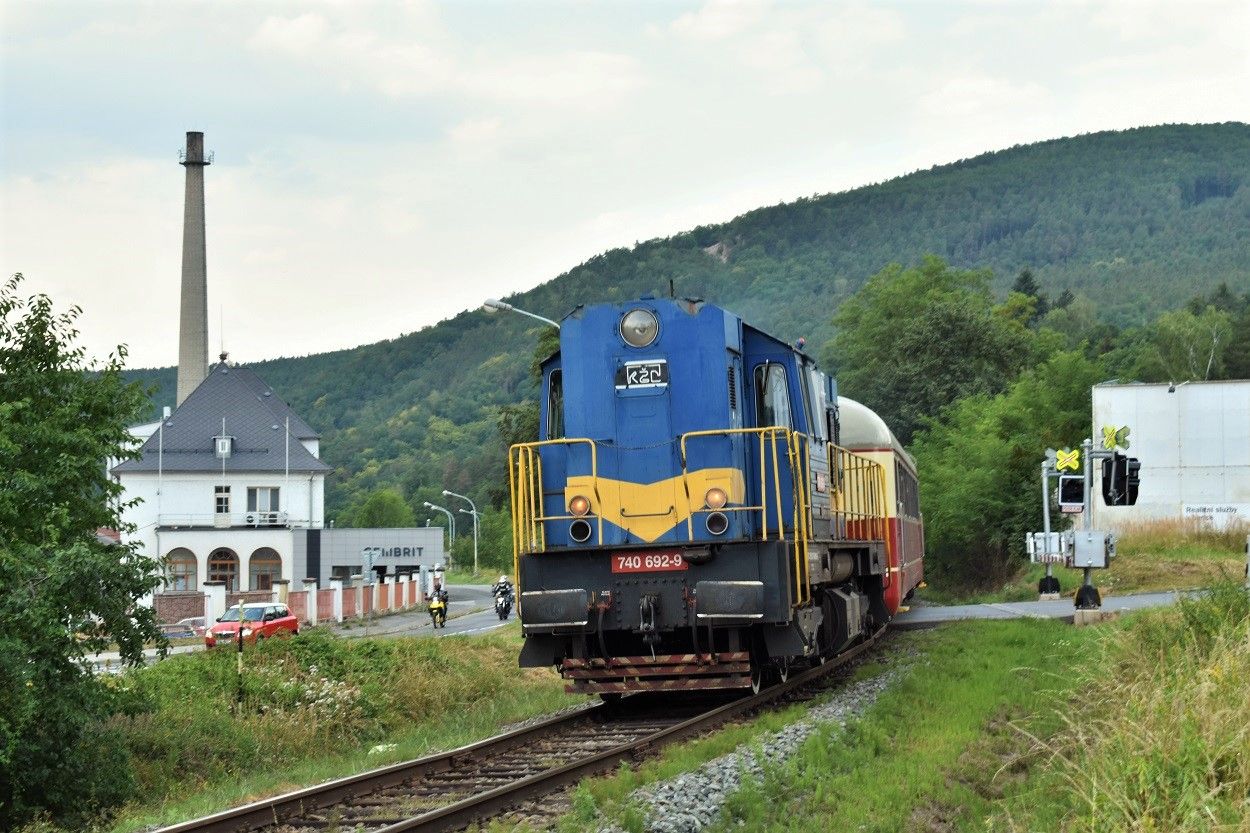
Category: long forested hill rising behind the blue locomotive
<point>1138,221</point>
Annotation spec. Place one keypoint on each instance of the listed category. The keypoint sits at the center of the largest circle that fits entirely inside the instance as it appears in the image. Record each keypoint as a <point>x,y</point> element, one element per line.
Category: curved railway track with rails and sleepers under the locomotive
<point>452,790</point>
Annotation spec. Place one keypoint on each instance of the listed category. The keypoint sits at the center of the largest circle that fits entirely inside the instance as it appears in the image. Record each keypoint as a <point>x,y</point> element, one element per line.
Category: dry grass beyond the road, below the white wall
<point>1152,556</point>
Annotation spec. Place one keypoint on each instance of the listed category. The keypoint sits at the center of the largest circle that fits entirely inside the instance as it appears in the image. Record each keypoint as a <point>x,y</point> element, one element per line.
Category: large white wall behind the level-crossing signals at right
<point>1194,446</point>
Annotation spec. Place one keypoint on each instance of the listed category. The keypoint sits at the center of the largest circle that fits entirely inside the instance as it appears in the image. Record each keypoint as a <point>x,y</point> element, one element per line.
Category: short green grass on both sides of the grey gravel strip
<point>924,739</point>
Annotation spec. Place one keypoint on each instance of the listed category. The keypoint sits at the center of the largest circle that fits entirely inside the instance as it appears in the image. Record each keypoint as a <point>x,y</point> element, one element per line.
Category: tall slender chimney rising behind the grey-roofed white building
<point>193,332</point>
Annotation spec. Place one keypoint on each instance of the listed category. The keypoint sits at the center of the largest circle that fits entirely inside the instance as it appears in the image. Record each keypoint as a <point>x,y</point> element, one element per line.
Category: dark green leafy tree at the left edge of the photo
<point>64,592</point>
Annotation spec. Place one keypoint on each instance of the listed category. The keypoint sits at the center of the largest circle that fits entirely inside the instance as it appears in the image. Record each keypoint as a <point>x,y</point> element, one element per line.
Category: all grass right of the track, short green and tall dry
<point>1141,725</point>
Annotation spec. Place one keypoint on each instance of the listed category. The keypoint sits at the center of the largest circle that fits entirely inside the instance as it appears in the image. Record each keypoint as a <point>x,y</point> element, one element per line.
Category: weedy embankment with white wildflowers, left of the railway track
<point>313,710</point>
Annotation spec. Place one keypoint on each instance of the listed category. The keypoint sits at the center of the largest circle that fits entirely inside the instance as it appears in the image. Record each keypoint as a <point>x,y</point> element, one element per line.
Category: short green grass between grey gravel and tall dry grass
<point>941,749</point>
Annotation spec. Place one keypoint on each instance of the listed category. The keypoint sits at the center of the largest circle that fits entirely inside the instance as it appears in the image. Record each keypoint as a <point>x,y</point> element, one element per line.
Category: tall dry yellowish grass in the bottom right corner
<point>1164,740</point>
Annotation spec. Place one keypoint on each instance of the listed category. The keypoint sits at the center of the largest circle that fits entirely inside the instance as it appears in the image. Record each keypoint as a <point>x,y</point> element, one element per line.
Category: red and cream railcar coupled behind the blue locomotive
<point>868,436</point>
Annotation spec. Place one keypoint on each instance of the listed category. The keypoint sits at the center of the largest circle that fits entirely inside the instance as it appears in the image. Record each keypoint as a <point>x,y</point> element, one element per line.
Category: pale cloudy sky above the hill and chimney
<point>381,167</point>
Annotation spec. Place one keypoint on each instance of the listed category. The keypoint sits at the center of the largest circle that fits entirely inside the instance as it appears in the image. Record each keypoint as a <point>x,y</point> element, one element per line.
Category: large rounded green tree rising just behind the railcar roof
<point>914,341</point>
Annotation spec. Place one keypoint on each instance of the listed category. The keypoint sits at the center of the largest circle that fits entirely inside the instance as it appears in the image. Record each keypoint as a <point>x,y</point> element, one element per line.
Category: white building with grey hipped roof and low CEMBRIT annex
<point>232,488</point>
